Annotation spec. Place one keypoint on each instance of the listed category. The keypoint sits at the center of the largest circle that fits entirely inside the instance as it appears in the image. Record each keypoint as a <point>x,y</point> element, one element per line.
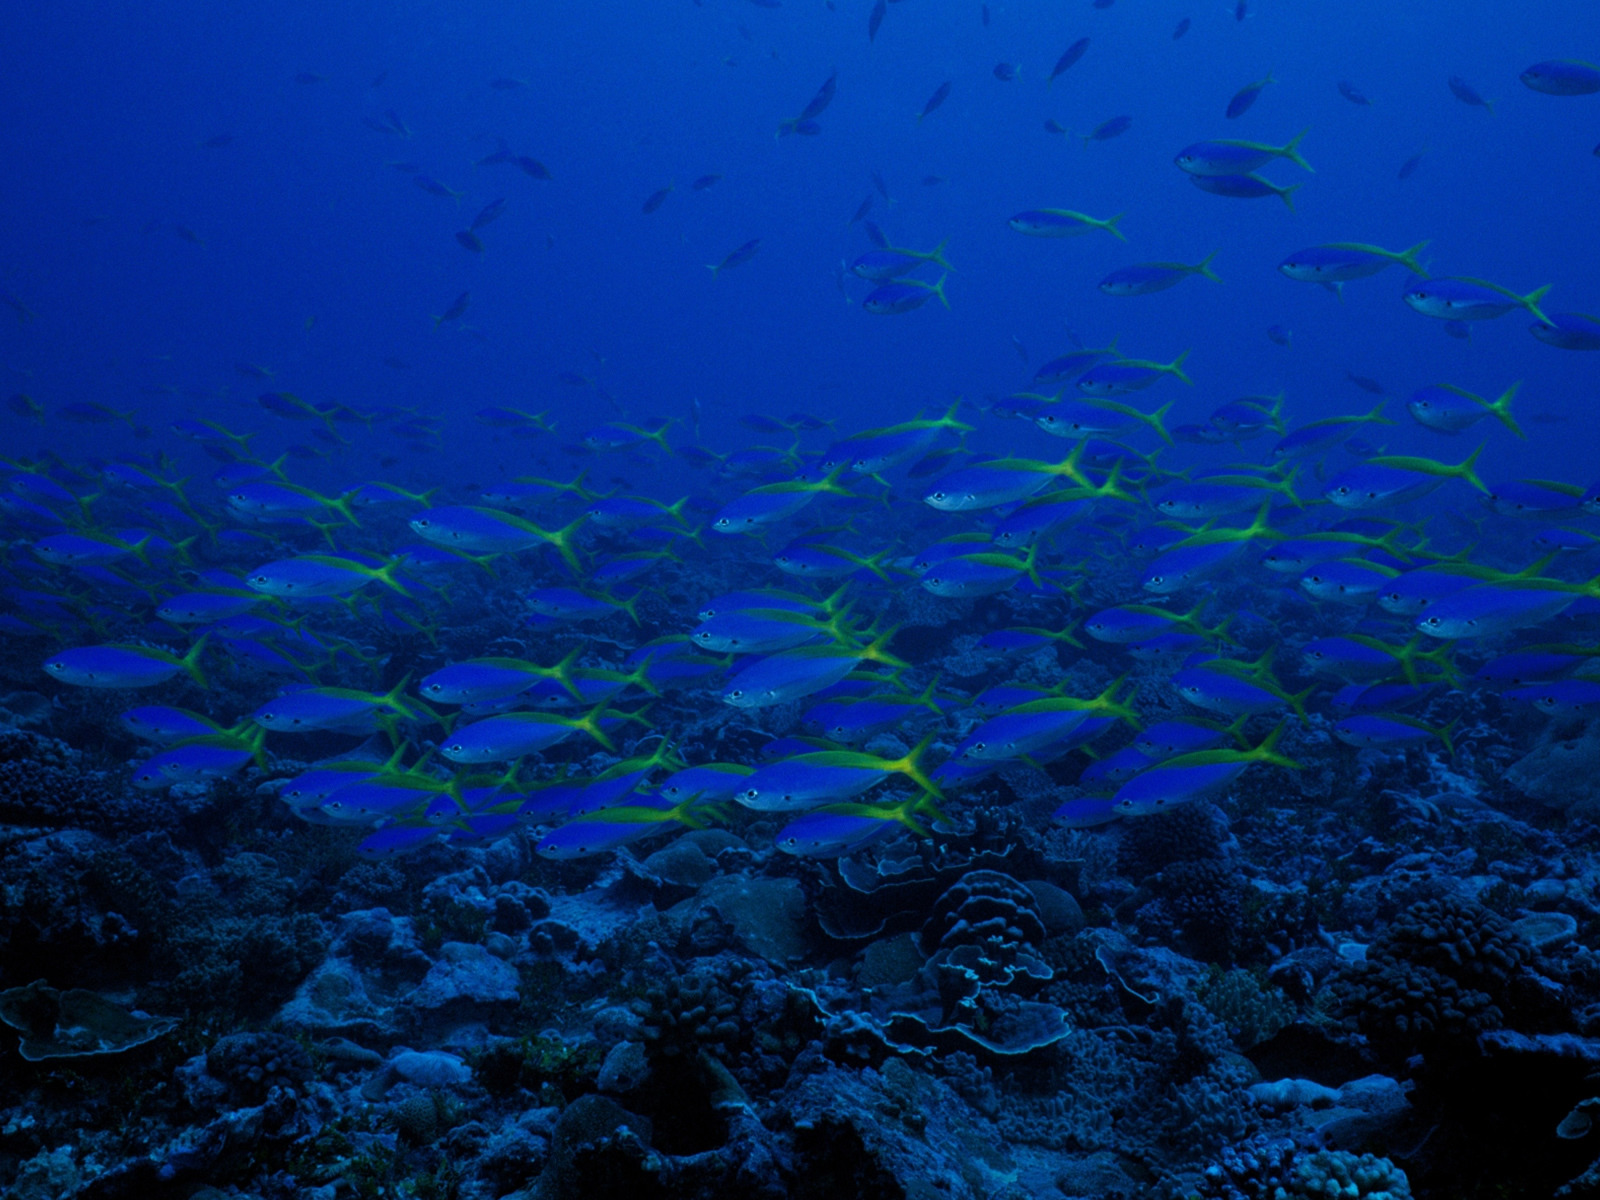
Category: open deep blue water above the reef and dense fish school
<point>103,110</point>
